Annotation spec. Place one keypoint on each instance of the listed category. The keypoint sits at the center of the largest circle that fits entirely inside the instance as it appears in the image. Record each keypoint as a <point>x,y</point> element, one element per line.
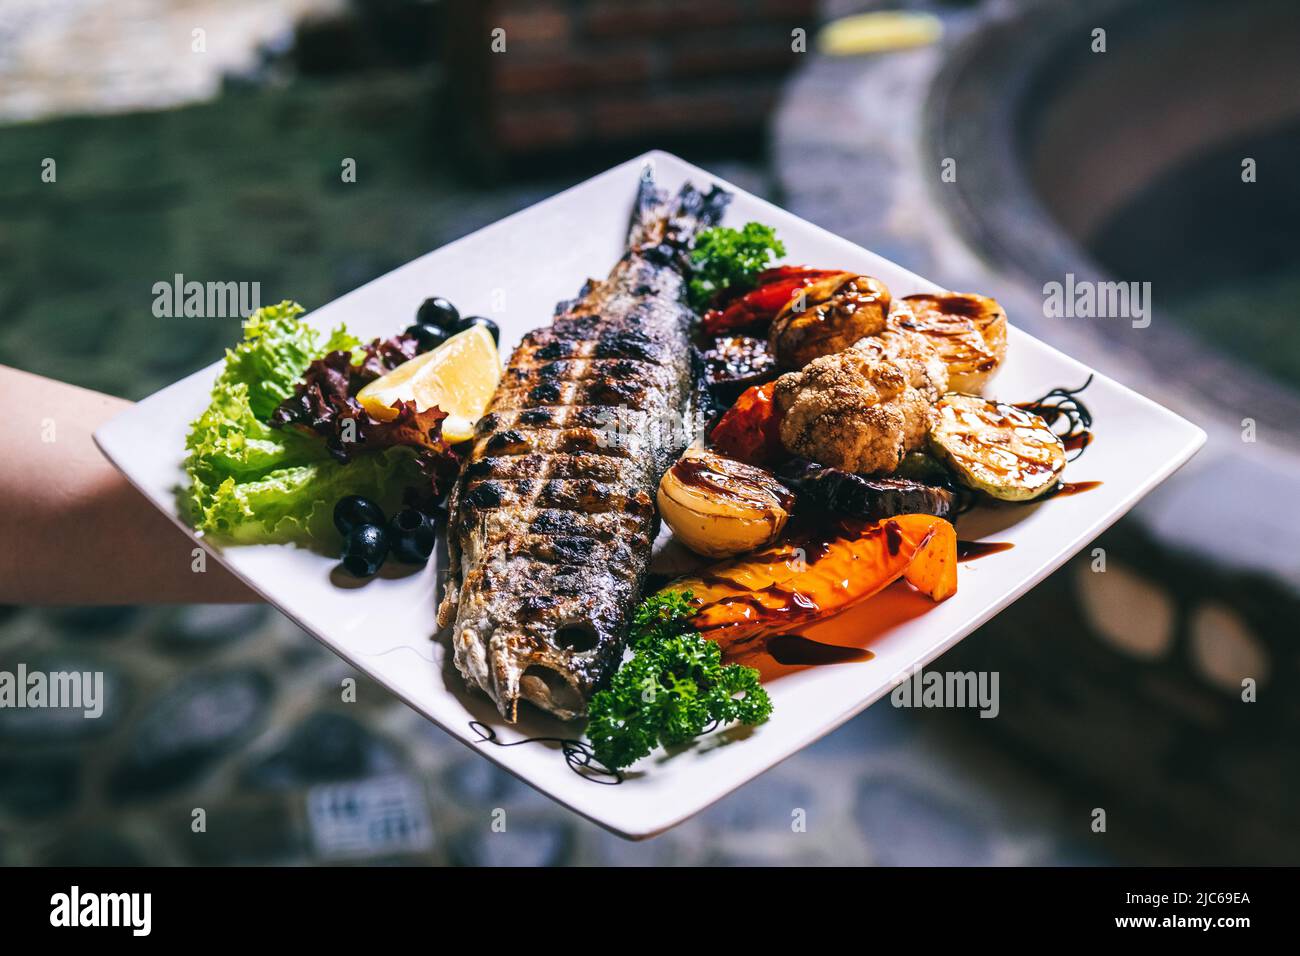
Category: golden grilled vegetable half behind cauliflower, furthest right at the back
<point>968,331</point>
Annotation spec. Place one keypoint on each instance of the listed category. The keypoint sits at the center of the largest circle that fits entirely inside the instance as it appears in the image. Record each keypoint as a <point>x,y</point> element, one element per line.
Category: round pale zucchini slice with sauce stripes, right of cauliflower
<point>995,448</point>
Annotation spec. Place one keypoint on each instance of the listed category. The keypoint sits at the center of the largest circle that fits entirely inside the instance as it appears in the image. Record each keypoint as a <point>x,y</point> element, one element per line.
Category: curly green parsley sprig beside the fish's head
<point>674,689</point>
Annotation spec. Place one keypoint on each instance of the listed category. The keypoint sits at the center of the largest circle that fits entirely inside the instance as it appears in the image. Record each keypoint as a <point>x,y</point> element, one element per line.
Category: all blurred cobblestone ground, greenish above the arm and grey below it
<point>232,717</point>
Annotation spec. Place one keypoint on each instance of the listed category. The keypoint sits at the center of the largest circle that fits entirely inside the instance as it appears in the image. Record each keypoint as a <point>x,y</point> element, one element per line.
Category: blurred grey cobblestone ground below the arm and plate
<point>236,713</point>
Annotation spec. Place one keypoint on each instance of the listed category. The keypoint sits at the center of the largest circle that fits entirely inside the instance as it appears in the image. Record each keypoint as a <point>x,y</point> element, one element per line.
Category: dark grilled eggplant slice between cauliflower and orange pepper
<point>857,496</point>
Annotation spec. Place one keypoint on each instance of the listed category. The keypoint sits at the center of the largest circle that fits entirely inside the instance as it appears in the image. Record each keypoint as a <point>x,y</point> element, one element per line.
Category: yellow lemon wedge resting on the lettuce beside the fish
<point>460,377</point>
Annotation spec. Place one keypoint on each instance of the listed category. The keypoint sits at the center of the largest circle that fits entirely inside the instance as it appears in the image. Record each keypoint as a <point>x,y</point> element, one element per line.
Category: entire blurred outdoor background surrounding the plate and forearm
<point>205,137</point>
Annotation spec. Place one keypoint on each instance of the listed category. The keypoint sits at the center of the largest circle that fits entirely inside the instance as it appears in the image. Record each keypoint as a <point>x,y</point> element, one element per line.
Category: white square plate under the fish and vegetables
<point>523,266</point>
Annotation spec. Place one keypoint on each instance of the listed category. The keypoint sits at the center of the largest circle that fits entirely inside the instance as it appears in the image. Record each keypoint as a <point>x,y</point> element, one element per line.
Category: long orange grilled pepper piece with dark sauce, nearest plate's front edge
<point>807,579</point>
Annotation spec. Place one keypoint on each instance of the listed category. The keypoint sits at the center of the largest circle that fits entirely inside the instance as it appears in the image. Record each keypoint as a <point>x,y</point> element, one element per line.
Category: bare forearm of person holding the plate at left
<point>73,530</point>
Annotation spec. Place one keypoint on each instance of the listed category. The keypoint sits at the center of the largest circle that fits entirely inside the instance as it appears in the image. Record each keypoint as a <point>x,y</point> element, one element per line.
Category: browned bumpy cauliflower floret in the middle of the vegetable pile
<point>855,410</point>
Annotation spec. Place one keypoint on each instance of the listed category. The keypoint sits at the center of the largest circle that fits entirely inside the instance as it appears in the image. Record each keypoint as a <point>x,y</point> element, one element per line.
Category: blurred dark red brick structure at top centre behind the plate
<point>601,72</point>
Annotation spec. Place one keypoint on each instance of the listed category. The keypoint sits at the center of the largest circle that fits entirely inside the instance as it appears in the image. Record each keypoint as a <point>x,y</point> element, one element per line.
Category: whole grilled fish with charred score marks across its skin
<point>553,516</point>
